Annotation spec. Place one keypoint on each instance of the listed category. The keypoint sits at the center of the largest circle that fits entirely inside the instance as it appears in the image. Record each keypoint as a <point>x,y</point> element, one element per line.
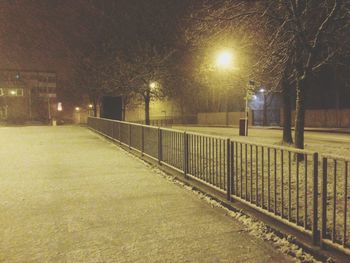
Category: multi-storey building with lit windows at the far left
<point>27,95</point>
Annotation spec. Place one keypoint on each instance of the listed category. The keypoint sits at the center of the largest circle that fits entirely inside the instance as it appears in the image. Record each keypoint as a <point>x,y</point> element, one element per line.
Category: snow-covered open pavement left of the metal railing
<point>69,196</point>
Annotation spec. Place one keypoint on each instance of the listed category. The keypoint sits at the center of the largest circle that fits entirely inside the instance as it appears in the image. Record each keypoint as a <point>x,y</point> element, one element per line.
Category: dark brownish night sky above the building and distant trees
<point>47,34</point>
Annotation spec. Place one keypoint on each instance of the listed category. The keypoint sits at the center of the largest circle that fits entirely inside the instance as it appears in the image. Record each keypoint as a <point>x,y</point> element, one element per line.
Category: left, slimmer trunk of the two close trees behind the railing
<point>287,113</point>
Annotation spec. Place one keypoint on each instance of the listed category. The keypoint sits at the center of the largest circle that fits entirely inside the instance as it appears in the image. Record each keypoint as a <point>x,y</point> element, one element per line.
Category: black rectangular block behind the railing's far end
<point>112,108</point>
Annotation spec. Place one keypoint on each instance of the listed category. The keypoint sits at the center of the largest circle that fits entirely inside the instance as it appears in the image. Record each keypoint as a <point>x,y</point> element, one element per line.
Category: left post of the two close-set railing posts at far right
<point>315,232</point>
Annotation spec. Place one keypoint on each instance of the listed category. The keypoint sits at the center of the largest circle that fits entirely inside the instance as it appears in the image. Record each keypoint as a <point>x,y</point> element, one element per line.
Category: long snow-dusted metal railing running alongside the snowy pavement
<point>290,185</point>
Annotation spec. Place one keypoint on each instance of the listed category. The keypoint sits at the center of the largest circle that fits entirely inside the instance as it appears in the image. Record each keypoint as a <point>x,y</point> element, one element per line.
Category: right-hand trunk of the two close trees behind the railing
<point>300,114</point>
